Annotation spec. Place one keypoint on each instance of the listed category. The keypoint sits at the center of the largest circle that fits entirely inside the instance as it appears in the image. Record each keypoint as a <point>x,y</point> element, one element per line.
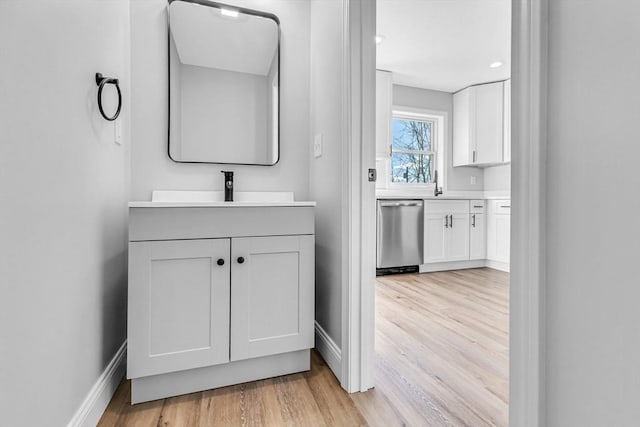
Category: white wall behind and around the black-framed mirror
<point>151,167</point>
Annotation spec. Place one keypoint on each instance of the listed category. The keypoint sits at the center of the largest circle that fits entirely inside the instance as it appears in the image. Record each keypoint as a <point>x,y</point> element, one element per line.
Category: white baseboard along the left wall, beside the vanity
<point>93,406</point>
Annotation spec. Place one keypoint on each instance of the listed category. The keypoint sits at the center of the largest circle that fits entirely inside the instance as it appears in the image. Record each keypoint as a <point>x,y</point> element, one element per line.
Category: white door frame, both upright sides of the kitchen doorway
<point>528,225</point>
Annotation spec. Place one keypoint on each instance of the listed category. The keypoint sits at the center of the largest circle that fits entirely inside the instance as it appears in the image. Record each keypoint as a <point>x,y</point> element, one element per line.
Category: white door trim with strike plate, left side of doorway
<point>358,272</point>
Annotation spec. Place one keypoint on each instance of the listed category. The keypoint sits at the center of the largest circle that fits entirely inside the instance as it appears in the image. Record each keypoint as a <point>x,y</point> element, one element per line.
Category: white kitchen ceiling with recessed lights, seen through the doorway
<point>444,45</point>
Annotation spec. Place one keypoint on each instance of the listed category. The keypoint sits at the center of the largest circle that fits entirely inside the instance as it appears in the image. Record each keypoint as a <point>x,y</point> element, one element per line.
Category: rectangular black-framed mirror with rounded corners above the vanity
<point>223,84</point>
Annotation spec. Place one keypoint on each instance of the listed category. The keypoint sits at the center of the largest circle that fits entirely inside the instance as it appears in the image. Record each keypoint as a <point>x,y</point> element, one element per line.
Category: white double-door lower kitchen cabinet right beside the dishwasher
<point>446,231</point>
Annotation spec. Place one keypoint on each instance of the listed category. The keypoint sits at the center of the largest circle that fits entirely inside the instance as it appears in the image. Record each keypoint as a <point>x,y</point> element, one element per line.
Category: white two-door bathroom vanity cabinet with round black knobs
<point>218,296</point>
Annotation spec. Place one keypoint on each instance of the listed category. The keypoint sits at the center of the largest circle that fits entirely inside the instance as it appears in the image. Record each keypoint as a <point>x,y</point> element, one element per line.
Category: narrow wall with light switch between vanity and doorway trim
<point>326,175</point>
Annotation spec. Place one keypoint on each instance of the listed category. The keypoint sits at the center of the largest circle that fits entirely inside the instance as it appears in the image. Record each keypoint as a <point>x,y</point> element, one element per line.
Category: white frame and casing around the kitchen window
<point>439,132</point>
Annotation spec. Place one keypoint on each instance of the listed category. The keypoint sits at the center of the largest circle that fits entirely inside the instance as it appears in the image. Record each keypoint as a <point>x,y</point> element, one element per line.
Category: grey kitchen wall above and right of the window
<point>456,178</point>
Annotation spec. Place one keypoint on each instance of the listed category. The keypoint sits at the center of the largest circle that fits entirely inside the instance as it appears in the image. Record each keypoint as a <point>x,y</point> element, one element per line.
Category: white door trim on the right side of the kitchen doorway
<point>528,253</point>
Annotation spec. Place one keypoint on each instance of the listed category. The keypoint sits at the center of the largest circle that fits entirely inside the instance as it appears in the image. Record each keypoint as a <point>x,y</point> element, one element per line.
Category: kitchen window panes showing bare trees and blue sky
<point>413,149</point>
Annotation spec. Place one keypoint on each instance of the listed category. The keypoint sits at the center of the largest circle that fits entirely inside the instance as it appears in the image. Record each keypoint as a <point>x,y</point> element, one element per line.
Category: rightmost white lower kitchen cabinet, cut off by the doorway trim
<point>499,233</point>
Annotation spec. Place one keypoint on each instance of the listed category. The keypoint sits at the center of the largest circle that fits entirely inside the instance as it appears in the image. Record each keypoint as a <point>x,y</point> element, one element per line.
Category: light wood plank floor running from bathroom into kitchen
<point>441,360</point>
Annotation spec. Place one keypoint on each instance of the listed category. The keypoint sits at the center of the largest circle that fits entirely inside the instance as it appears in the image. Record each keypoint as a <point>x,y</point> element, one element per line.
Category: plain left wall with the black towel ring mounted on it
<point>63,197</point>
